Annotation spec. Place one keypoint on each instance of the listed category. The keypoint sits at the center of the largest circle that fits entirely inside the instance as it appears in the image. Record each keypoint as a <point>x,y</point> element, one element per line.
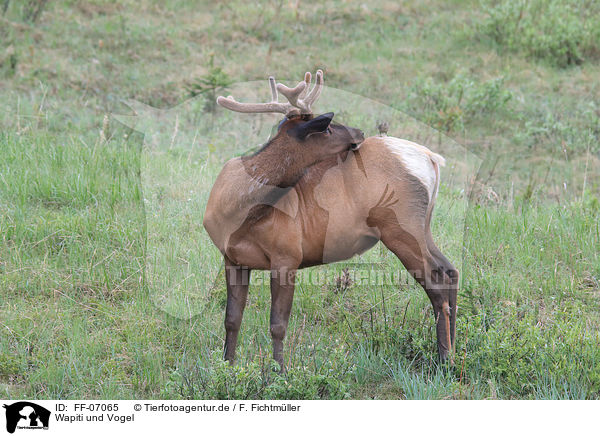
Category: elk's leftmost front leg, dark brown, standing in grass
<point>238,279</point>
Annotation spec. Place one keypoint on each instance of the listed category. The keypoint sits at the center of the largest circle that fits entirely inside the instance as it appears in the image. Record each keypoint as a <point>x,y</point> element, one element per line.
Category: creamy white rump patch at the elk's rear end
<point>417,159</point>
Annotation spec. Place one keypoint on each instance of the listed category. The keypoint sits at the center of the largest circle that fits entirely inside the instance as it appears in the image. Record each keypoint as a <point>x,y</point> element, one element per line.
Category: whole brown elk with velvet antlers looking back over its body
<point>316,193</point>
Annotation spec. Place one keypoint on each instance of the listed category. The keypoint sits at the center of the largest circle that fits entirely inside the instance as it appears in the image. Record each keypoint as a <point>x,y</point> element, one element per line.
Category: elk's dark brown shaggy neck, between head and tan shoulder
<point>278,165</point>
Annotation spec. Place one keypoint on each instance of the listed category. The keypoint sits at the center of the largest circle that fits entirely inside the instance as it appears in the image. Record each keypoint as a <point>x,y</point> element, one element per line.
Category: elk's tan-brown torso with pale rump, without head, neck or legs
<point>324,218</point>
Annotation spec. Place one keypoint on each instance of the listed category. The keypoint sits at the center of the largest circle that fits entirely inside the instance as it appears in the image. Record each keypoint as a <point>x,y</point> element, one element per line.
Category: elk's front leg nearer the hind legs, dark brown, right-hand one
<point>282,295</point>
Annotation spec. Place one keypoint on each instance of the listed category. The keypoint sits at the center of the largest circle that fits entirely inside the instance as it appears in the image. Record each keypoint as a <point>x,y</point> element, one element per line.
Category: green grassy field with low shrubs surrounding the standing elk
<point>104,261</point>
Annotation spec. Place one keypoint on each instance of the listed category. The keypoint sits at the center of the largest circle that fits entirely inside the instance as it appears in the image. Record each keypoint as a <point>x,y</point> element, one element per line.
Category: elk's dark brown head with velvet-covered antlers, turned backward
<point>316,137</point>
